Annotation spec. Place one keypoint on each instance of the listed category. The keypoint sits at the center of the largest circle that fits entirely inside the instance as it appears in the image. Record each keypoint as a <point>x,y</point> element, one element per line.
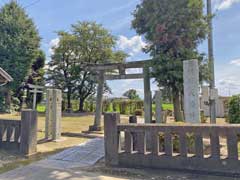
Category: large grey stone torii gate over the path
<point>117,71</point>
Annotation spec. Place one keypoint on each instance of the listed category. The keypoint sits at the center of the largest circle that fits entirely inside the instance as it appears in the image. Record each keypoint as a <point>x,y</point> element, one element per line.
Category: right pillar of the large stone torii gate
<point>147,96</point>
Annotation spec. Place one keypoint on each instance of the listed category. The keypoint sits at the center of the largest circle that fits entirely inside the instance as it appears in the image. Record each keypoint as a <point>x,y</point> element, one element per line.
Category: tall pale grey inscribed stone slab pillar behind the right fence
<point>191,91</point>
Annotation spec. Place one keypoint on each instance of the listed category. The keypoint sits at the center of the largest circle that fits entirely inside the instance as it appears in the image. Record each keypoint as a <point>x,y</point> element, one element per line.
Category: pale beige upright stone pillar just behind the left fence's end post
<point>53,114</point>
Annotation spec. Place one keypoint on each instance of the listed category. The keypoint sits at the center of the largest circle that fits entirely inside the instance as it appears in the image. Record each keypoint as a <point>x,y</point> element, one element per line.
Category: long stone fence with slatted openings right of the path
<point>152,146</point>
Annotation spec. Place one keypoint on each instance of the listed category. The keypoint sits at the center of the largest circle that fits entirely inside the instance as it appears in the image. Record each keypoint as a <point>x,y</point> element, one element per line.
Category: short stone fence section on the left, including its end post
<point>20,135</point>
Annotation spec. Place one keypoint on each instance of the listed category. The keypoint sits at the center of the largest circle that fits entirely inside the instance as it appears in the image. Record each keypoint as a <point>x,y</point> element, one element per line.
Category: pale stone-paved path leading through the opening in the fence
<point>64,165</point>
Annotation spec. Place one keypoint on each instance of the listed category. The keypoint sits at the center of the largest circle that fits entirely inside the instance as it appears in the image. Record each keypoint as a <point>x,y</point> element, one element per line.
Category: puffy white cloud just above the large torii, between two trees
<point>132,45</point>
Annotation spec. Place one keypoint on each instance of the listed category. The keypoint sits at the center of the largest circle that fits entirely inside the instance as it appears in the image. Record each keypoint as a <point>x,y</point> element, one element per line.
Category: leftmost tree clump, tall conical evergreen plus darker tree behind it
<point>20,54</point>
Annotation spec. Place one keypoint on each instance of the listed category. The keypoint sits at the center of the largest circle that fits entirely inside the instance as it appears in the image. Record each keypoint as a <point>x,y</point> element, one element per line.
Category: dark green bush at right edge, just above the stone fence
<point>234,110</point>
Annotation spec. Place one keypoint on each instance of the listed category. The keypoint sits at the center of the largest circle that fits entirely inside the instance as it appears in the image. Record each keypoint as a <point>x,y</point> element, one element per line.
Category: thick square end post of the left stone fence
<point>28,140</point>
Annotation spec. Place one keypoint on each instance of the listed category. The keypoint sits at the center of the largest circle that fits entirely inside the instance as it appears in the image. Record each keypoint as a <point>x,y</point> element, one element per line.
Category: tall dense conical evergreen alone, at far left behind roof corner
<point>19,44</point>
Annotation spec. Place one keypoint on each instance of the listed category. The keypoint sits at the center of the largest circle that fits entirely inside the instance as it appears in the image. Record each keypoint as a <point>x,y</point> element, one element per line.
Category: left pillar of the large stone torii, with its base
<point>97,121</point>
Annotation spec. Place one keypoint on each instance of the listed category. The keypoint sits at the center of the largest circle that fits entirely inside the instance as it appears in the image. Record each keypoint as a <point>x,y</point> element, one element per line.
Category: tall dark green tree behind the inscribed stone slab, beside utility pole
<point>173,29</point>
